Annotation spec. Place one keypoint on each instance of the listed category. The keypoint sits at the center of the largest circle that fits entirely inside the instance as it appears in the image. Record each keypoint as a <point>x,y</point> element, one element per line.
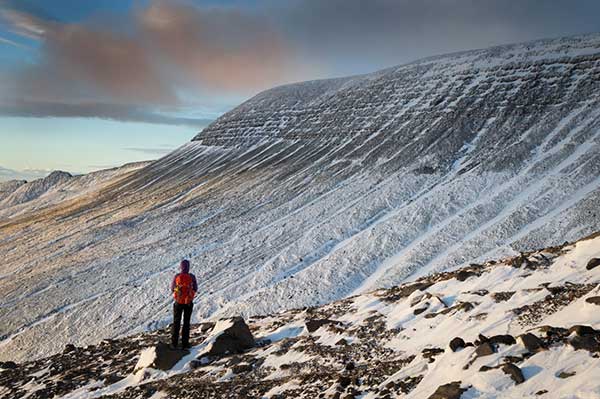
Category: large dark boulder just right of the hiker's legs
<point>235,338</point>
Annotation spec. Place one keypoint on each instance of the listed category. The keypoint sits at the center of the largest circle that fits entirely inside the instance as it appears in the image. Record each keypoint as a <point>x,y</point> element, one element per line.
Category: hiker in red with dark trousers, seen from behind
<point>184,288</point>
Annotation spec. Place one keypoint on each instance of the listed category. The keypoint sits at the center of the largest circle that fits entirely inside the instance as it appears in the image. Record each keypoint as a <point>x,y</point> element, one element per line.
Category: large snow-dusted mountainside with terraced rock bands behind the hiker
<point>311,192</point>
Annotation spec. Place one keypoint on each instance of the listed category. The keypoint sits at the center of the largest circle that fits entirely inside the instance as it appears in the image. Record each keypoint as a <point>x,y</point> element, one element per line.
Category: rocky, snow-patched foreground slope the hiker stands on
<point>524,326</point>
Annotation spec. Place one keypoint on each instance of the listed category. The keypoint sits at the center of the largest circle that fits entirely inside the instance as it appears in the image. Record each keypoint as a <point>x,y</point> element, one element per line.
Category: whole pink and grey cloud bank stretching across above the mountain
<point>178,55</point>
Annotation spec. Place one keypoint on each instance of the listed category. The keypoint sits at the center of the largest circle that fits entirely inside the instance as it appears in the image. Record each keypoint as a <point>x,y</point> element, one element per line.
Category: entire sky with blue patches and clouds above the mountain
<point>86,85</point>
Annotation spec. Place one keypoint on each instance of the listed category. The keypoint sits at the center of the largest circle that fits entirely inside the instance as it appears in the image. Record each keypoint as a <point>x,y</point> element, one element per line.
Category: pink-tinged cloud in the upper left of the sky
<point>167,54</point>
